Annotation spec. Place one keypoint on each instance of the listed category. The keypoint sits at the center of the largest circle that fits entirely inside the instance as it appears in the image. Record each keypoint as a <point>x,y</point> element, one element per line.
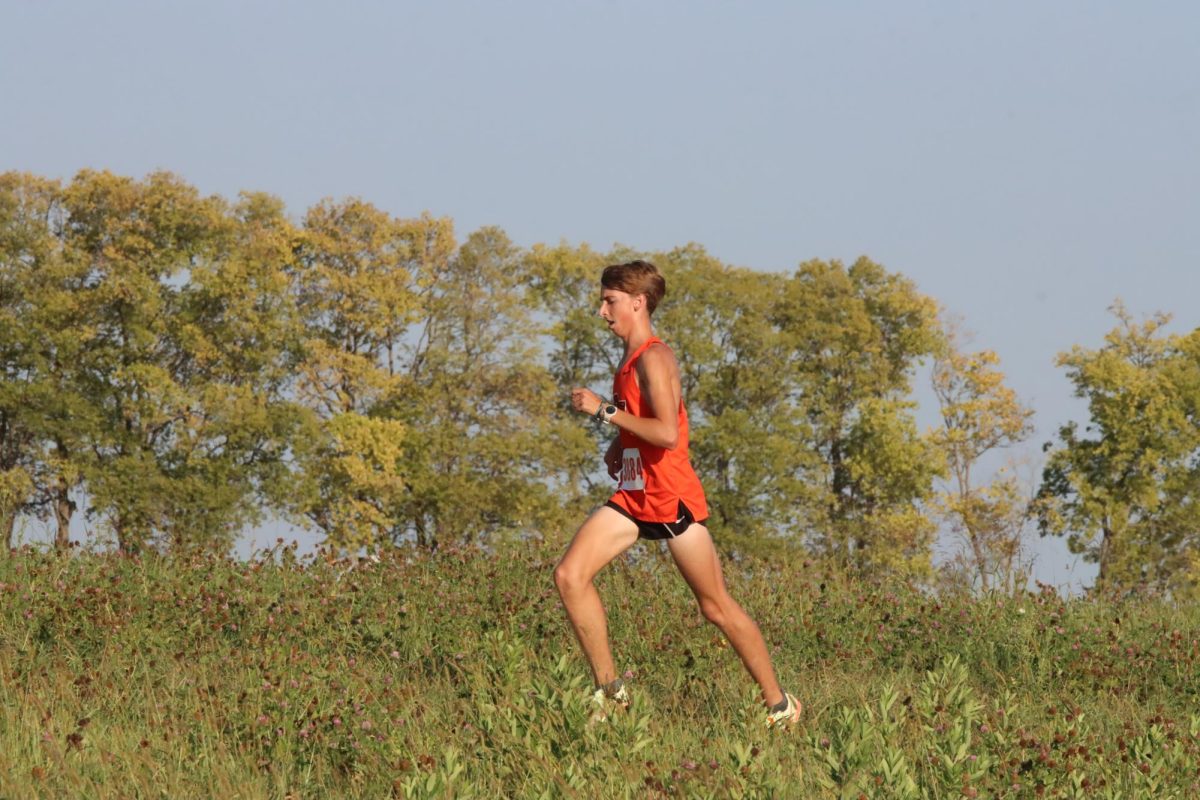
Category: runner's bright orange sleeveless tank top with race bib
<point>653,480</point>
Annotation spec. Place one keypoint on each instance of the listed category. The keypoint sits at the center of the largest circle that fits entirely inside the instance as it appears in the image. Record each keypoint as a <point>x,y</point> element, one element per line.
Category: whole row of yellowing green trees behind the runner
<point>185,366</point>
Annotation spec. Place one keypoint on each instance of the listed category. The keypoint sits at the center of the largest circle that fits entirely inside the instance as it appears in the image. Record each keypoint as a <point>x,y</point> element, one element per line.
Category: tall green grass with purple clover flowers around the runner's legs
<point>455,675</point>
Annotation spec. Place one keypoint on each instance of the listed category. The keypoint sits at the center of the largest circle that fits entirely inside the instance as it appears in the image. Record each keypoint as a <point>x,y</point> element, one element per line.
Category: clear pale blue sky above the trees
<point>1024,163</point>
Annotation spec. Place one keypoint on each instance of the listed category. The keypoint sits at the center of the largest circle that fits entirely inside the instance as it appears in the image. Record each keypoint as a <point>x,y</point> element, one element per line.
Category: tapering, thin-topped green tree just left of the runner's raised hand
<point>488,444</point>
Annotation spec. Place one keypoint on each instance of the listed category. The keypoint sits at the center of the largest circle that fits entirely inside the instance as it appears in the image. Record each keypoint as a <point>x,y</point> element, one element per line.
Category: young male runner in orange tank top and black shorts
<point>658,496</point>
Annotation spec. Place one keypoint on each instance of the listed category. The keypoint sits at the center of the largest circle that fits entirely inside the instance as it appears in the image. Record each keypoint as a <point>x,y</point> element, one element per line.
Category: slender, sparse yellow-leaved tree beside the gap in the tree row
<point>980,417</point>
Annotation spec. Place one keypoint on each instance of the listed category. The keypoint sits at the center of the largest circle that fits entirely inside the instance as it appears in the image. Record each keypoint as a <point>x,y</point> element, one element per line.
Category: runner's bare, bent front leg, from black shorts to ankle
<point>601,539</point>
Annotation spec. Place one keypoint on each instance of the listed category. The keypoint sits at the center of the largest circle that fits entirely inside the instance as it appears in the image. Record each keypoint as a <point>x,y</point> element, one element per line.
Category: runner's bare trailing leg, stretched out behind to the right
<point>697,558</point>
